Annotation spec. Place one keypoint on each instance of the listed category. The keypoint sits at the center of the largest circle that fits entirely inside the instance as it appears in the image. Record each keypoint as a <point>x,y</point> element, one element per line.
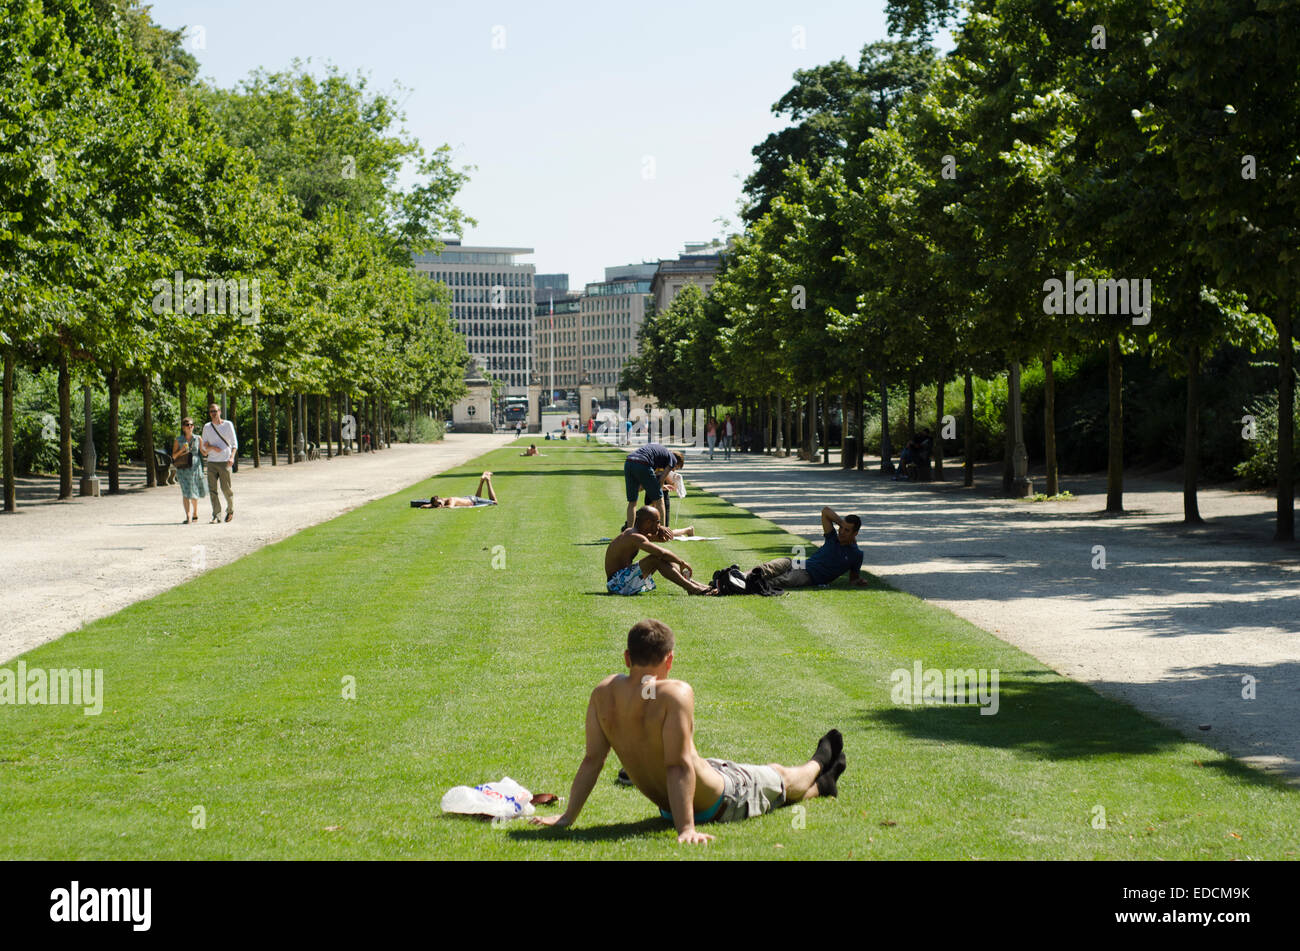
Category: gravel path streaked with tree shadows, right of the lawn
<point>1172,624</point>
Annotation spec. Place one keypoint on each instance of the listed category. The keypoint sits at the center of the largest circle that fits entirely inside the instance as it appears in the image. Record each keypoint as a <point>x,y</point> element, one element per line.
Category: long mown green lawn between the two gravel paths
<point>466,672</point>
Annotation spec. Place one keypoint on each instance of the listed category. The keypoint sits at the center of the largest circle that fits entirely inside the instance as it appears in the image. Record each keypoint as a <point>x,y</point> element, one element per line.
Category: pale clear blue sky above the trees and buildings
<point>562,120</point>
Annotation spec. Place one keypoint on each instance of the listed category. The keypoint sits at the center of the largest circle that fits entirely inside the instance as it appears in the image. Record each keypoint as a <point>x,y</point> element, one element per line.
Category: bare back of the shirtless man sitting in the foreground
<point>634,718</point>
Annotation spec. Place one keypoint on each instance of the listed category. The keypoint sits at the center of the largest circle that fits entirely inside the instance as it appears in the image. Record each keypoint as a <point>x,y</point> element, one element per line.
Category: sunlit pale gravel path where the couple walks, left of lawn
<point>68,563</point>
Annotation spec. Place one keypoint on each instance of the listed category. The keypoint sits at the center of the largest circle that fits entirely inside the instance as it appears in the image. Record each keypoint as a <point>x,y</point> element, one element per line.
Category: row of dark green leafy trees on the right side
<point>934,218</point>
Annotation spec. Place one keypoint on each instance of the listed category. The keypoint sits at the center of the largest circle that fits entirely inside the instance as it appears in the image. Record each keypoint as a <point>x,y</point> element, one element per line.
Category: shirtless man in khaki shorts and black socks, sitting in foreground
<point>651,723</point>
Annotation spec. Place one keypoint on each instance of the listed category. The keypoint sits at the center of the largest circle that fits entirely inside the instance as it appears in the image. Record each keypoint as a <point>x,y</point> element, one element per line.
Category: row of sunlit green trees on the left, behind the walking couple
<point>162,233</point>
